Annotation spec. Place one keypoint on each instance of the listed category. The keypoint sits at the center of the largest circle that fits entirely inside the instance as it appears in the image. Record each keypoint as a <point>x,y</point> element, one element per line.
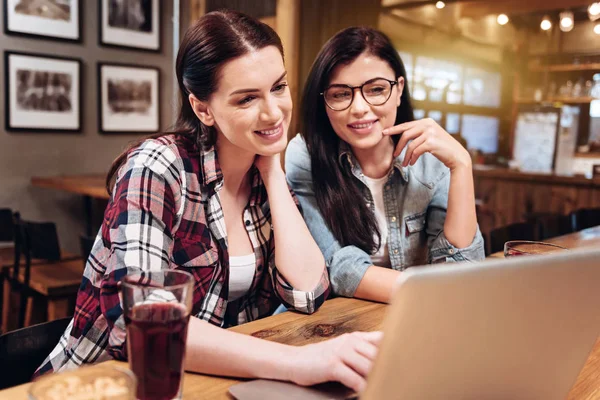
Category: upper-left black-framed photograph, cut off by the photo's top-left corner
<point>55,19</point>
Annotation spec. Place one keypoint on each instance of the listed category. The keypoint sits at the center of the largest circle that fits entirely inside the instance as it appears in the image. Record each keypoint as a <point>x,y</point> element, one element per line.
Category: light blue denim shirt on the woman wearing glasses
<point>415,198</point>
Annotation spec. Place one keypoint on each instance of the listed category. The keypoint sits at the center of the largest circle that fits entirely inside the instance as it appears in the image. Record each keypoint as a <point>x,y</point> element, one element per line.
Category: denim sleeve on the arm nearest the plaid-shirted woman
<point>346,264</point>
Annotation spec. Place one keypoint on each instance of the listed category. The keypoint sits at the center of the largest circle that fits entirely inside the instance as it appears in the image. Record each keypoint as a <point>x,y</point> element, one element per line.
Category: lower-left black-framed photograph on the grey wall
<point>43,93</point>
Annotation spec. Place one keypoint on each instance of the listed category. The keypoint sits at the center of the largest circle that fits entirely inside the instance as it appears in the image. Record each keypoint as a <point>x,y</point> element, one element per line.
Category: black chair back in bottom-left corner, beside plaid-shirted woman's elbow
<point>23,350</point>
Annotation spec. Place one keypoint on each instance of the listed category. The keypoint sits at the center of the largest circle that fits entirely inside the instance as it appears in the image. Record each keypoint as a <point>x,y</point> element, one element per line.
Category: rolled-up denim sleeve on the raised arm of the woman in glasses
<point>440,249</point>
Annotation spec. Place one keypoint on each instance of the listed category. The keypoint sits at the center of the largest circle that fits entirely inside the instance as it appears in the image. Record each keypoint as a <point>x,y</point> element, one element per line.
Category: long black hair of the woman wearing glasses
<point>336,190</point>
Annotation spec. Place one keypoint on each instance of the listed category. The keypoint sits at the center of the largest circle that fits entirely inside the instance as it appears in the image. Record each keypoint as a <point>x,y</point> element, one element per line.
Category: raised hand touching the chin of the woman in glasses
<point>428,137</point>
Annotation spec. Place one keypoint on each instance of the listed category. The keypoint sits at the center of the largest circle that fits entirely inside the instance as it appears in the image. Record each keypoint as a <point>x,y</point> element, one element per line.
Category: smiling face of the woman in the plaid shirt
<point>252,105</point>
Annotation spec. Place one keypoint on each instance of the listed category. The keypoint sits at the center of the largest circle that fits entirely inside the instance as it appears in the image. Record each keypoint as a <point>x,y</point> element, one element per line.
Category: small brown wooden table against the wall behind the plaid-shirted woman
<point>90,186</point>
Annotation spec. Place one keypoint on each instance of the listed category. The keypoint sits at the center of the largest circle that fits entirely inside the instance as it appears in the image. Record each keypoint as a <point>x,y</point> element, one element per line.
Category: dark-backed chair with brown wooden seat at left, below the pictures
<point>56,280</point>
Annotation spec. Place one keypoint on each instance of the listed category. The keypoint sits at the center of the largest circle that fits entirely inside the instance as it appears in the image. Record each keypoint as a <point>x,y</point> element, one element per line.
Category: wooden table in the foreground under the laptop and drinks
<point>335,317</point>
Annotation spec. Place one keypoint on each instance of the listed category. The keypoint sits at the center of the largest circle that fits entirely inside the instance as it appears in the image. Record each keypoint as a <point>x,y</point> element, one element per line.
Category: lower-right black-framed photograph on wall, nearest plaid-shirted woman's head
<point>128,100</point>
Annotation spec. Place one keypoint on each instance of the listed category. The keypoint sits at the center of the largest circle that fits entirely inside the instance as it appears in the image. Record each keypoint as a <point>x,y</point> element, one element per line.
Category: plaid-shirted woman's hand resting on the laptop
<point>346,359</point>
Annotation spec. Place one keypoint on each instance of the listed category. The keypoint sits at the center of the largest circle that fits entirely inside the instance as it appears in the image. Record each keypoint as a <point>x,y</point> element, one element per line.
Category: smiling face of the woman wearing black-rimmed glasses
<point>361,124</point>
